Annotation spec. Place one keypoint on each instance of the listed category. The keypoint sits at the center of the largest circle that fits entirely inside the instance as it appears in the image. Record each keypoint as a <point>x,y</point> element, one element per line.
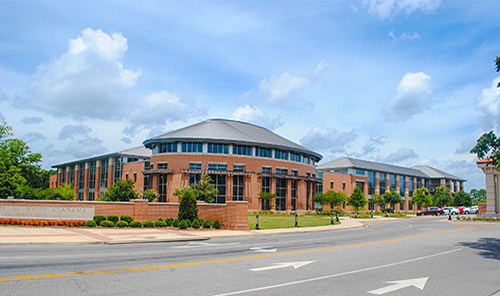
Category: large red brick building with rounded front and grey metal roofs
<point>242,160</point>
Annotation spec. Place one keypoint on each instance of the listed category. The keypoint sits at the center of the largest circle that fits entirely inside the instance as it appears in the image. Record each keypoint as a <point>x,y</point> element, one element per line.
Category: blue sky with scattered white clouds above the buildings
<point>400,82</point>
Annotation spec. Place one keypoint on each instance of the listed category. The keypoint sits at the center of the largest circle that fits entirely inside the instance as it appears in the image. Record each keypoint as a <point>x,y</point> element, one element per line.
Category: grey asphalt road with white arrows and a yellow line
<point>420,256</point>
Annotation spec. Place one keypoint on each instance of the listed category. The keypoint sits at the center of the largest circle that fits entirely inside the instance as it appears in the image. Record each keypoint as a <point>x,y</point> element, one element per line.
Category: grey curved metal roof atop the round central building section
<point>231,132</point>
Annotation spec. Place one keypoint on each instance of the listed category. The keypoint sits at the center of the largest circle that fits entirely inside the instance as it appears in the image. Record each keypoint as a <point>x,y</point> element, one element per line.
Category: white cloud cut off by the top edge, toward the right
<point>388,8</point>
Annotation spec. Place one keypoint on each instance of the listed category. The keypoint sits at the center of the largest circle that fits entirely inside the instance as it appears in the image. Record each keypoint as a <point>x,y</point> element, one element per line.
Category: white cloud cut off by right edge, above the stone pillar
<point>489,104</point>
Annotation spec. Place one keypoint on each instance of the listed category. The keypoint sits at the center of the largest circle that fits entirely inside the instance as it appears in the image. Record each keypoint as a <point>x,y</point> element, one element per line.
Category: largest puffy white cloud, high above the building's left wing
<point>86,82</point>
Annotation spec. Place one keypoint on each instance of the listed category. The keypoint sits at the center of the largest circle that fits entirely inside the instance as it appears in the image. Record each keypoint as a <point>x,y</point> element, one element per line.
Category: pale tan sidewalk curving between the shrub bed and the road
<point>24,236</point>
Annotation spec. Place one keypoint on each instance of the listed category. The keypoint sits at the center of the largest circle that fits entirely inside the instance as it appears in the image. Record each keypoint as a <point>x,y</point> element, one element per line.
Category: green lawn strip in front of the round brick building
<point>285,221</point>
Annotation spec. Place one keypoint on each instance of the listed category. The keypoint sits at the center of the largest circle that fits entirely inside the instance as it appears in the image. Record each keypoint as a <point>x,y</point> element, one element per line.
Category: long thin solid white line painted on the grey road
<point>338,274</point>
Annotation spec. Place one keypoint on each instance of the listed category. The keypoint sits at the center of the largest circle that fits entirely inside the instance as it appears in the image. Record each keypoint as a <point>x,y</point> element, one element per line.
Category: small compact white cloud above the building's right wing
<point>411,97</point>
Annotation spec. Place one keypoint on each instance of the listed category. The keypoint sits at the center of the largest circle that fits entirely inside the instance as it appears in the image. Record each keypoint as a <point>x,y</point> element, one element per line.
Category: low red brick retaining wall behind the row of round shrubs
<point>232,215</point>
